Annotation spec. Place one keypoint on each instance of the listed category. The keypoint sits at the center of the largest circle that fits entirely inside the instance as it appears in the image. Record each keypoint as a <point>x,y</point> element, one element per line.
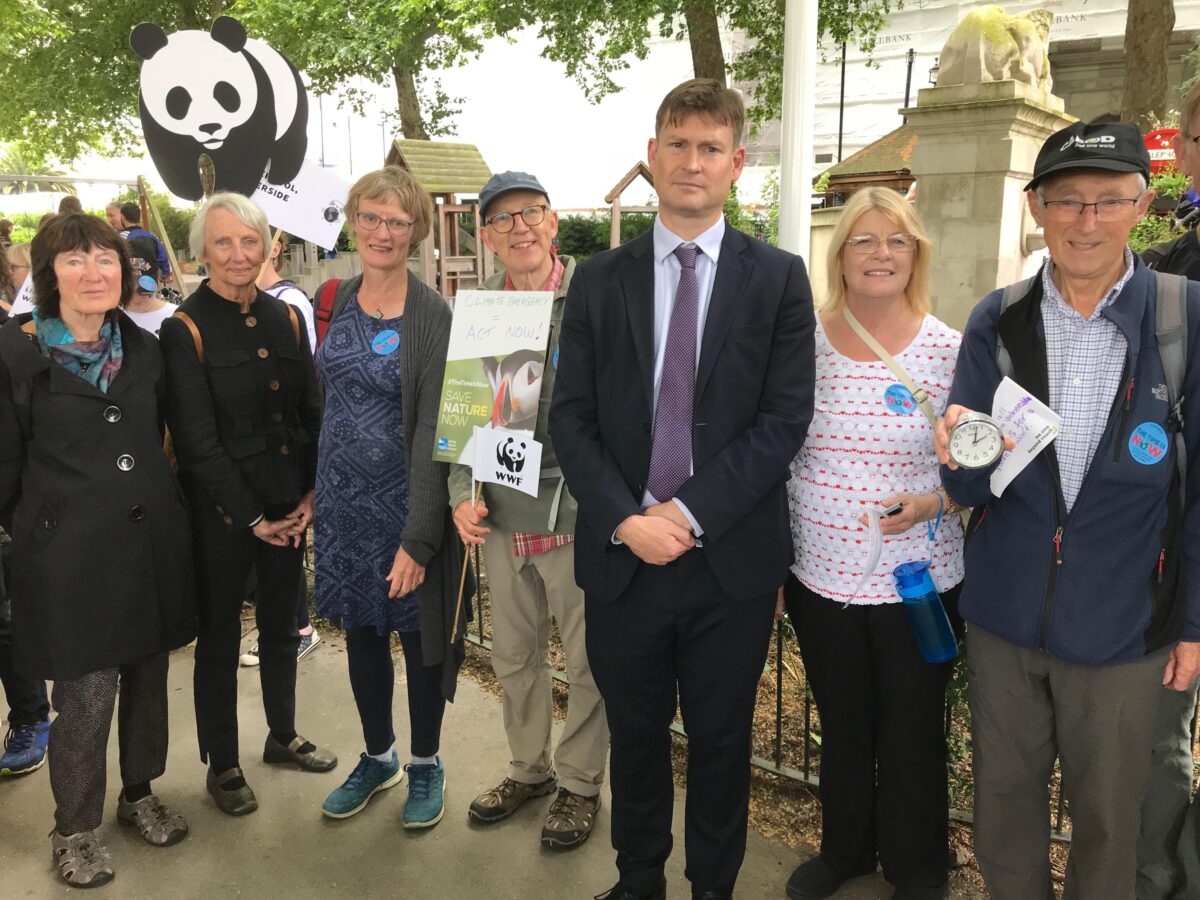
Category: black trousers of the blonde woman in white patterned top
<point>884,737</point>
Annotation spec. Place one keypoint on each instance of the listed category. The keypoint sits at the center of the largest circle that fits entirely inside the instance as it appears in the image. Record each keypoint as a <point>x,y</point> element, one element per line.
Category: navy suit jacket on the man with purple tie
<point>752,411</point>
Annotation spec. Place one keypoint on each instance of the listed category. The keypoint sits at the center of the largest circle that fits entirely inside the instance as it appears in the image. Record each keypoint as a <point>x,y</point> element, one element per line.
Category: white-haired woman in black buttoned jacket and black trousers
<point>245,413</point>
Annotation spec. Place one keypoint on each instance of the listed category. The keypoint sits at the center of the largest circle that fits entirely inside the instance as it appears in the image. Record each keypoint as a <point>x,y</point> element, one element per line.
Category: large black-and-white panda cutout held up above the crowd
<point>221,94</point>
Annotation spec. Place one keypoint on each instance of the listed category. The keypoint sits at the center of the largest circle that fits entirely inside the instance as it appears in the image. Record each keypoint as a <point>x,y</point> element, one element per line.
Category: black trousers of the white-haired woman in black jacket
<point>224,561</point>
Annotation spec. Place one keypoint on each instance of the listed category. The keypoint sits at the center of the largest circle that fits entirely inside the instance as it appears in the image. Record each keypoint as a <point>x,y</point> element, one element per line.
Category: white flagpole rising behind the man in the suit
<point>800,112</point>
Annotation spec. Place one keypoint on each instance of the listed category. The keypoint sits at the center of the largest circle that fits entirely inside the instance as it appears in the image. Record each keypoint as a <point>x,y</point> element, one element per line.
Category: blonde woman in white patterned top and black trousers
<point>883,707</point>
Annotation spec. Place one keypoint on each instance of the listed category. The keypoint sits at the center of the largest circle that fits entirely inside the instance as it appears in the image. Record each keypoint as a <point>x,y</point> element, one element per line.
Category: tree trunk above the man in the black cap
<point>1149,26</point>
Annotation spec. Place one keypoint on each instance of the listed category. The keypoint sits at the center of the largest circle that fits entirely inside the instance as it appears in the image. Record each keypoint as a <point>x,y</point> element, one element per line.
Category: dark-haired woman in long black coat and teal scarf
<point>103,577</point>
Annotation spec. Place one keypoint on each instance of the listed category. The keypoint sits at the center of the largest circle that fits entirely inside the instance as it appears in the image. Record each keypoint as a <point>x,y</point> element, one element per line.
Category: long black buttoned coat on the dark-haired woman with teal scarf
<point>103,549</point>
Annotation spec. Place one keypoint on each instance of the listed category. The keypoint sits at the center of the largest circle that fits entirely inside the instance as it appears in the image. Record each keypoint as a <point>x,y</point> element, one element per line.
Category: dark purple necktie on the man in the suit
<point>671,451</point>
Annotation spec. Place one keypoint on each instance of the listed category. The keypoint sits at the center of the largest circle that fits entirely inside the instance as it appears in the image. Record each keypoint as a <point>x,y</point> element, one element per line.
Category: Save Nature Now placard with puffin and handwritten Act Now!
<point>494,373</point>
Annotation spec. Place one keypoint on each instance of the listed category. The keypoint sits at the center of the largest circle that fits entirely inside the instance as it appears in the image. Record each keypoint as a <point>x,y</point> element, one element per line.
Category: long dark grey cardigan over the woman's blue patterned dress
<point>423,359</point>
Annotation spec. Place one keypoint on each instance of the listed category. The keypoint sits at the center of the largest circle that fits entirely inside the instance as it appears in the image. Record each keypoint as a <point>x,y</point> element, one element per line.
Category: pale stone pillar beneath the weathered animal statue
<point>975,153</point>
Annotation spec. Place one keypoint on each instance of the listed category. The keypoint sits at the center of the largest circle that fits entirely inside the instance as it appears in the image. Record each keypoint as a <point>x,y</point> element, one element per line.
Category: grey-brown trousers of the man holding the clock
<point>1029,707</point>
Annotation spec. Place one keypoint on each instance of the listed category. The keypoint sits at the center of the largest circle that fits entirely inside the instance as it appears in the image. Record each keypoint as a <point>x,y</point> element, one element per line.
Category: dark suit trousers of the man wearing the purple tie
<point>674,632</point>
